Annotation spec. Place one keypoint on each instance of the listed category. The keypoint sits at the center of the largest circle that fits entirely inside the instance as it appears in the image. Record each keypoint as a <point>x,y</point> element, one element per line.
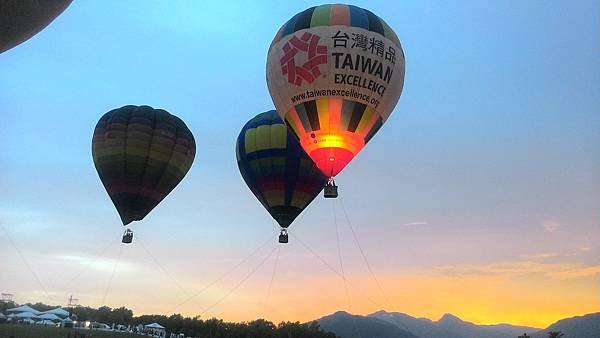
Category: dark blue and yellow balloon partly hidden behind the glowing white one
<point>276,169</point>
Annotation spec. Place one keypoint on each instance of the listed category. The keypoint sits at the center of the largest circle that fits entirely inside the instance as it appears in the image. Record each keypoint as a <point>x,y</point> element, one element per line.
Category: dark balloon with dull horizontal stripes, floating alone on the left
<point>141,154</point>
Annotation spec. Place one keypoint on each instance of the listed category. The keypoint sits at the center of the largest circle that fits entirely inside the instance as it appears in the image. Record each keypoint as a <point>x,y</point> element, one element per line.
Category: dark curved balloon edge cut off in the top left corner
<point>22,19</point>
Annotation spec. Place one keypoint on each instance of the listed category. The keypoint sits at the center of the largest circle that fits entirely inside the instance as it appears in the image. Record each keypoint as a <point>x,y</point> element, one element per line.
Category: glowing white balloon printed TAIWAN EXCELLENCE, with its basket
<point>335,73</point>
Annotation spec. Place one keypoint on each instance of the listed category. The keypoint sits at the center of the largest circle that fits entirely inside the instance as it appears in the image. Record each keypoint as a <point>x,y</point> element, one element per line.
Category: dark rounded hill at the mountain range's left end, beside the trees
<point>346,325</point>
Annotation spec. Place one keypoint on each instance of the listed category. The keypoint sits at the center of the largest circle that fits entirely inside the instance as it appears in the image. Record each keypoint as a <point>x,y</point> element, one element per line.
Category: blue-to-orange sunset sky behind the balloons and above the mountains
<point>479,197</point>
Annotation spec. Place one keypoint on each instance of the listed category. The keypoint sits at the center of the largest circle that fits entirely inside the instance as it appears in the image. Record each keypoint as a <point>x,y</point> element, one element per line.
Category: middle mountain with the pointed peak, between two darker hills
<point>450,326</point>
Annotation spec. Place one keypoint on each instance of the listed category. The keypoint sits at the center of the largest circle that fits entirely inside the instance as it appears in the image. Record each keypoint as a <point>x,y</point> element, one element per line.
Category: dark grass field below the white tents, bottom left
<point>29,331</point>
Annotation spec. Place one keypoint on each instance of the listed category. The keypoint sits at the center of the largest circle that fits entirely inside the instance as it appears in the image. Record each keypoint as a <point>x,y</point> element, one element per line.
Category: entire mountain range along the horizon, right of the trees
<point>384,324</point>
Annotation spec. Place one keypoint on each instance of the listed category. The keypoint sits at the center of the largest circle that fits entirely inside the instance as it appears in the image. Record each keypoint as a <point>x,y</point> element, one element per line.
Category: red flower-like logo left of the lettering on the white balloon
<point>309,71</point>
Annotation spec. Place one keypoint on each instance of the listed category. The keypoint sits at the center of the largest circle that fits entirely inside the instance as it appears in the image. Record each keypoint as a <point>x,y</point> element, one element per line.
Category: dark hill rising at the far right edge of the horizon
<point>587,326</point>
